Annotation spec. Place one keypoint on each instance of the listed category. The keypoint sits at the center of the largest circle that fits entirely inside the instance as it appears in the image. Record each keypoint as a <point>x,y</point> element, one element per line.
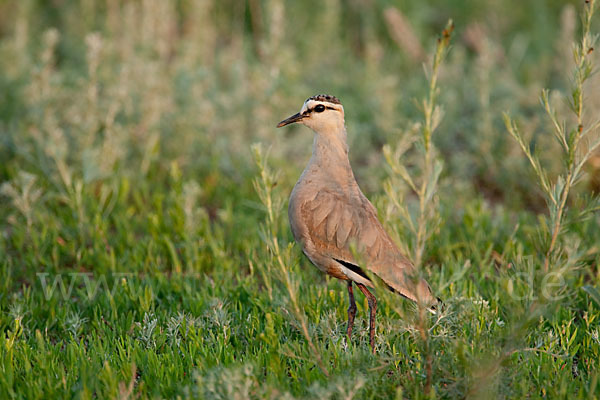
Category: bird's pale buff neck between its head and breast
<point>330,156</point>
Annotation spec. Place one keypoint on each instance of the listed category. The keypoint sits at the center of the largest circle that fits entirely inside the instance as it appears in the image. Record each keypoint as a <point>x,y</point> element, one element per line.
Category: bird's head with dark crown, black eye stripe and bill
<point>322,113</point>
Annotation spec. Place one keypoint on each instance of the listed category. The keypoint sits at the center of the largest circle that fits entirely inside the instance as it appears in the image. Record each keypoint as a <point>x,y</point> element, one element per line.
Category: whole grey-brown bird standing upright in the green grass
<point>333,220</point>
